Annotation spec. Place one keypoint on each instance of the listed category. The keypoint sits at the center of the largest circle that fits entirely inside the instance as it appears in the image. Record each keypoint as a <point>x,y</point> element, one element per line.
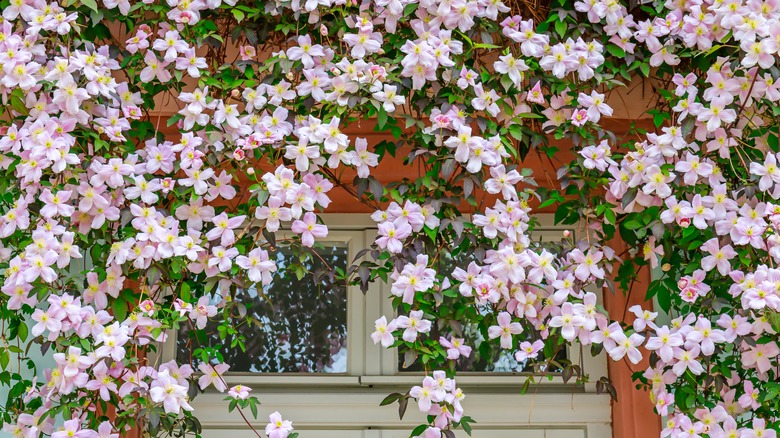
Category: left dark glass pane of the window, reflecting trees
<point>292,325</point>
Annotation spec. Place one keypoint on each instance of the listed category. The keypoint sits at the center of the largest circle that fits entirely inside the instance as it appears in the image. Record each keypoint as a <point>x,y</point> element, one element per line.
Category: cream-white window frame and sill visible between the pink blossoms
<point>347,405</point>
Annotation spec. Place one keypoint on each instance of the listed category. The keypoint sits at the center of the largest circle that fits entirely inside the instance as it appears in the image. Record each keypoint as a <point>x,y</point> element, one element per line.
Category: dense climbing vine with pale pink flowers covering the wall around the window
<point>115,235</point>
